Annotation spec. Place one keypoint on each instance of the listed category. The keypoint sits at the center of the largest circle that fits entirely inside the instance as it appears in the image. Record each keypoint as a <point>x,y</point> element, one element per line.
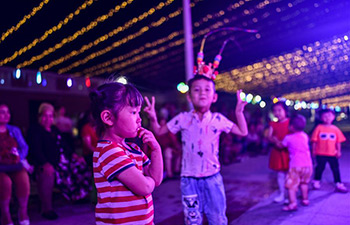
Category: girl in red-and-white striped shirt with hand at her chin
<point>124,175</point>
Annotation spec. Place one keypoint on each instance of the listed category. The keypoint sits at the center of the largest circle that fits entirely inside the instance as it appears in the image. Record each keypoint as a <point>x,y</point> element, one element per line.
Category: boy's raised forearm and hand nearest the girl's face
<point>152,115</point>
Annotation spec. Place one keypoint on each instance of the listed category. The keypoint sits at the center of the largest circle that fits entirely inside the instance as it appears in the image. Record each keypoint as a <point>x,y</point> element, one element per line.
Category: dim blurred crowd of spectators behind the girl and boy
<point>55,154</point>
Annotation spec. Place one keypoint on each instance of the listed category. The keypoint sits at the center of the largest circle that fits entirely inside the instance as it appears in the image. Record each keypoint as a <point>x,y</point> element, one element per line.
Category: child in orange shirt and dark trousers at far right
<point>326,146</point>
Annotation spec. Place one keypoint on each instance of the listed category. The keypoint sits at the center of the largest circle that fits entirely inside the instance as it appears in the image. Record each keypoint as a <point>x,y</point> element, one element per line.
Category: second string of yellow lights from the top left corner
<point>47,33</point>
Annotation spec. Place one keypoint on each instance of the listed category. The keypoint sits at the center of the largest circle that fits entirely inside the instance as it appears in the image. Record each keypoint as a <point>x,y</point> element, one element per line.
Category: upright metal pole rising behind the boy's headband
<point>188,39</point>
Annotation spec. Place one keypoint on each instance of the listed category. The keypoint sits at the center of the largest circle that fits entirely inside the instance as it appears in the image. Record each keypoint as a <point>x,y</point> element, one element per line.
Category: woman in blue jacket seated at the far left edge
<point>13,151</point>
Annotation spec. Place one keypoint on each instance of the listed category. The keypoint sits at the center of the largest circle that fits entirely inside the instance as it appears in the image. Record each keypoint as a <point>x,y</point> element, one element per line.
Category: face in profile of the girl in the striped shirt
<point>128,122</point>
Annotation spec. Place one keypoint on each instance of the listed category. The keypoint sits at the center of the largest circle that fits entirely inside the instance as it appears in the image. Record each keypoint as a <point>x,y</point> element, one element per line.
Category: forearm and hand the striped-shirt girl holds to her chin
<point>155,169</point>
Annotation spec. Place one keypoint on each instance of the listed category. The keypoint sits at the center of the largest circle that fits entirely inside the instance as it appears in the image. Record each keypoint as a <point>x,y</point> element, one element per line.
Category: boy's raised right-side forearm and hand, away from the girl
<point>241,128</point>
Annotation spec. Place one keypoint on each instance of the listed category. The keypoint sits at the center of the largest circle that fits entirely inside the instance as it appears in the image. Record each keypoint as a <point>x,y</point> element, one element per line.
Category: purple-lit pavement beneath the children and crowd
<point>250,188</point>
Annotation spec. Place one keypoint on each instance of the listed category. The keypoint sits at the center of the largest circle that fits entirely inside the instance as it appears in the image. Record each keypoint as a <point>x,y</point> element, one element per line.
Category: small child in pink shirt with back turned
<point>300,163</point>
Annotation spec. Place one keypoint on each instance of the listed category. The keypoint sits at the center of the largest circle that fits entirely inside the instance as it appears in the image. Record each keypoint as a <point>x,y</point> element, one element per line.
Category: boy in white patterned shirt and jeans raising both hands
<point>201,183</point>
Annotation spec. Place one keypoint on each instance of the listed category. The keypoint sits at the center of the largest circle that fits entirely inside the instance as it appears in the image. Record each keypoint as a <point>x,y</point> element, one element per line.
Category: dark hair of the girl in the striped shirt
<point>112,96</point>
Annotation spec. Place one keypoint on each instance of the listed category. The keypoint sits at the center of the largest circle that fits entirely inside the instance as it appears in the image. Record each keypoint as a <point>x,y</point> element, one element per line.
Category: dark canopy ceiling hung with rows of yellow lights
<point>143,40</point>
